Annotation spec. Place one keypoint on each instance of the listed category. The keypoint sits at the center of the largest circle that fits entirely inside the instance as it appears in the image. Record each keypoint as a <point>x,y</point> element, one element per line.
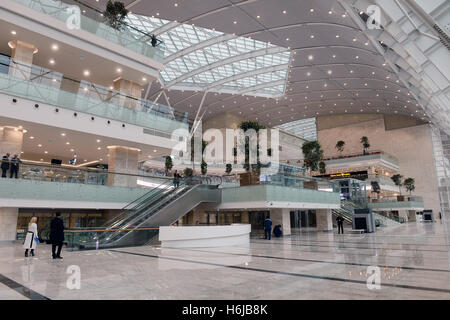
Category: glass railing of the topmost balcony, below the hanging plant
<point>90,21</point>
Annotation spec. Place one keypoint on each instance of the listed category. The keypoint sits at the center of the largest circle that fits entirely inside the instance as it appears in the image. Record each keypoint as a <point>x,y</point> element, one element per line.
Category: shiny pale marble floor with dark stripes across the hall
<point>413,261</point>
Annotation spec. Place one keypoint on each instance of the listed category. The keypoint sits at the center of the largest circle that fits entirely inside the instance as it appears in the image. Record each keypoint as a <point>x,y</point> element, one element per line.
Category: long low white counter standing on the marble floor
<point>204,236</point>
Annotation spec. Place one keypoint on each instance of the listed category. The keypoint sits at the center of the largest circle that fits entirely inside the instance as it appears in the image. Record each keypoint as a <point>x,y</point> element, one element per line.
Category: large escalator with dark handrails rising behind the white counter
<point>138,223</point>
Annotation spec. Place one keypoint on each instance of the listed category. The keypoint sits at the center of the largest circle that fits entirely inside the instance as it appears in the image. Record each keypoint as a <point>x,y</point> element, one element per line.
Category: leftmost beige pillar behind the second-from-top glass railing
<point>22,59</point>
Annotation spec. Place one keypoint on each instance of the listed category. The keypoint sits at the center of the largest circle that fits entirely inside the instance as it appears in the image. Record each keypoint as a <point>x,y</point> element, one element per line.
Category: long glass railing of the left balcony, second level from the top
<point>44,85</point>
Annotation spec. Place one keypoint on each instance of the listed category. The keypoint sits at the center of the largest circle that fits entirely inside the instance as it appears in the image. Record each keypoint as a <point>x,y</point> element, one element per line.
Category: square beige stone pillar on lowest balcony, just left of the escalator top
<point>122,160</point>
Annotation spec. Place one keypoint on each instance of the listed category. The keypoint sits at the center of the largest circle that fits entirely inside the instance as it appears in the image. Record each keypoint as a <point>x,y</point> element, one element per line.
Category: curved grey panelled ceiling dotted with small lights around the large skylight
<point>335,66</point>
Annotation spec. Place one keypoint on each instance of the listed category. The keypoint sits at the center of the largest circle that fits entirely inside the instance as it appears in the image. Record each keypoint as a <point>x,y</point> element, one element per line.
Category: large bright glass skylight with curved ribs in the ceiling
<point>206,60</point>
